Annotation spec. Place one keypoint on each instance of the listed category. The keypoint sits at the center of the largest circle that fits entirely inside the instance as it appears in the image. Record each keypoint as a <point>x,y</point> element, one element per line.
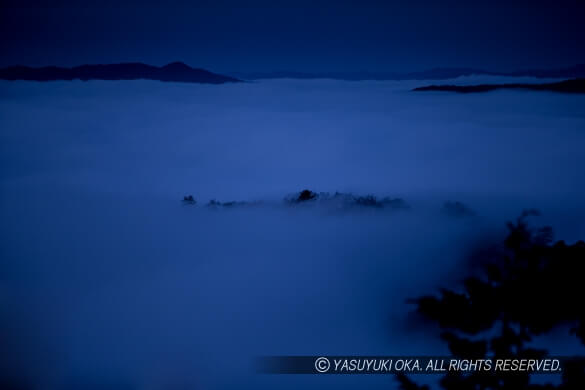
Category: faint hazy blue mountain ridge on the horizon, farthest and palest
<point>577,71</point>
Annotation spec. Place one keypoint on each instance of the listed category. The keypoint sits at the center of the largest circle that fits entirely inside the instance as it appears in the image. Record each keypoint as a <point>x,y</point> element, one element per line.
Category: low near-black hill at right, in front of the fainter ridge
<point>567,86</point>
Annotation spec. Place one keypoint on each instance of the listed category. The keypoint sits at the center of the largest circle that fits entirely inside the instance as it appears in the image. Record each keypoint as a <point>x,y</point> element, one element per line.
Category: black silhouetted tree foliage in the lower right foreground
<point>531,287</point>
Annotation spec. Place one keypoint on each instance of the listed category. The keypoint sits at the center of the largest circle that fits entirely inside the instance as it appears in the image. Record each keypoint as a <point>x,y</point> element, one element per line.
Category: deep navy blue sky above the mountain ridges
<point>300,35</point>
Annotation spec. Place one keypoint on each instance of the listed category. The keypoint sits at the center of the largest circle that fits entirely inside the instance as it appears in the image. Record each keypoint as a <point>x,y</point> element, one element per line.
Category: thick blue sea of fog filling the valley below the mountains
<point>109,279</point>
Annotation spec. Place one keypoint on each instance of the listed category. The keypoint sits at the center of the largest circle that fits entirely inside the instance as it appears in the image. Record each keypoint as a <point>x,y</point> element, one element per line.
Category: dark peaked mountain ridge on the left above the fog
<point>173,72</point>
